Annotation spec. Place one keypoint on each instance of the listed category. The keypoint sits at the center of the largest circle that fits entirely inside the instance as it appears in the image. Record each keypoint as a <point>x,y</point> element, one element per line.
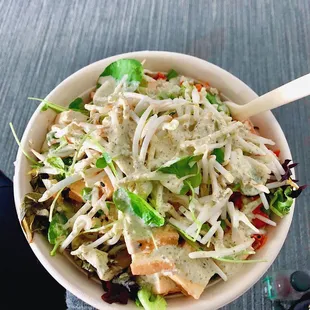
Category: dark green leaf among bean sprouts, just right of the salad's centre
<point>184,167</point>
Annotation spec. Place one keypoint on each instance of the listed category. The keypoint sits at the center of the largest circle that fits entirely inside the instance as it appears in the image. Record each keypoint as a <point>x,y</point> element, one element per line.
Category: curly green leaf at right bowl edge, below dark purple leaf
<point>281,201</point>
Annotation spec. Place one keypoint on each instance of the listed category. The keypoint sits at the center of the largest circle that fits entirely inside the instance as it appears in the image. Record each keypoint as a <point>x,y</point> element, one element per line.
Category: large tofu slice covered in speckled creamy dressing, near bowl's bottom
<point>191,275</point>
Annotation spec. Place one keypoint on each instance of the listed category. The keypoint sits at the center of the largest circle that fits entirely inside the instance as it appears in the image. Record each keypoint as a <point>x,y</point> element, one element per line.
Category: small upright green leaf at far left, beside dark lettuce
<point>56,233</point>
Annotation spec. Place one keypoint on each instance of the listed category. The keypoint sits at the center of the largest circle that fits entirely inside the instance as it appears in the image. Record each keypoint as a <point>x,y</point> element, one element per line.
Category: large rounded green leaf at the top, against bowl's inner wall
<point>121,67</point>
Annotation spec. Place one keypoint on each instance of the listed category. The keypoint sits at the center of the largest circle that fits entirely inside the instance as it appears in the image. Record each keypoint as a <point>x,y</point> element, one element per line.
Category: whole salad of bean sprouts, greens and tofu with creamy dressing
<point>152,188</point>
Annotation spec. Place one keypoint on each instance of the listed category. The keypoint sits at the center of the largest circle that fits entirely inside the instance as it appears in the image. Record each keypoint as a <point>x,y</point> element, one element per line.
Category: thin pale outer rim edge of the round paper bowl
<point>56,274</point>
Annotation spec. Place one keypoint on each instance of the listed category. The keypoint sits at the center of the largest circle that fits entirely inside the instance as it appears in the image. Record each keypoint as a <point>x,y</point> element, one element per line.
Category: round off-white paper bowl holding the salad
<point>68,275</point>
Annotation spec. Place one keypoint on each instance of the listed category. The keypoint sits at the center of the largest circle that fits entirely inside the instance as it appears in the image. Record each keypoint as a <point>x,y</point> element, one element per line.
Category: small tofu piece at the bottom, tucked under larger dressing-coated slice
<point>160,284</point>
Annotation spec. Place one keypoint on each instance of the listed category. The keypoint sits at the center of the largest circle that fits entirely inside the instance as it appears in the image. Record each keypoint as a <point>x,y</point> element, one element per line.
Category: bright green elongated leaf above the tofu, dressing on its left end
<point>125,200</point>
